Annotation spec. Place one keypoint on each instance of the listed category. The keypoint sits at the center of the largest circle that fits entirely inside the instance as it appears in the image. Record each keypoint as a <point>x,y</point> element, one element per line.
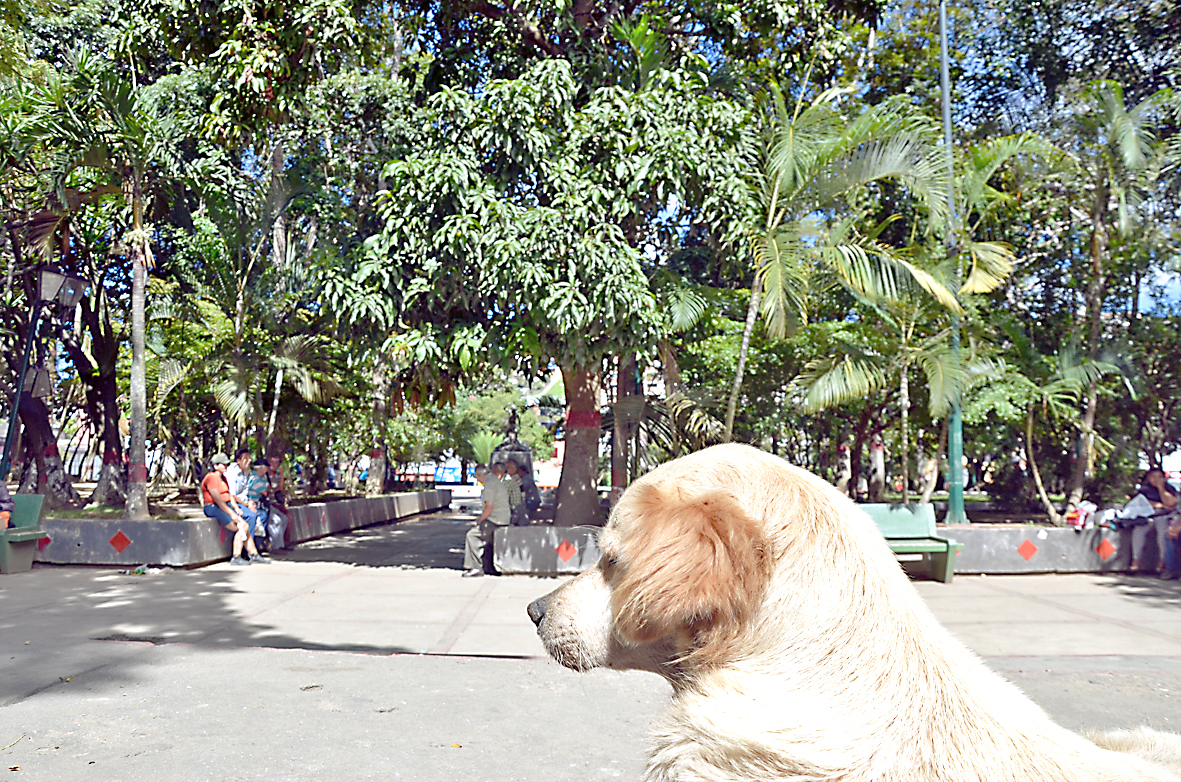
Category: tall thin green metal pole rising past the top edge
<point>956,514</point>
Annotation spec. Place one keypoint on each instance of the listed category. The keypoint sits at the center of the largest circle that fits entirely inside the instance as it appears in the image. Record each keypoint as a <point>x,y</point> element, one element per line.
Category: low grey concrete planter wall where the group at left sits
<point>199,542</point>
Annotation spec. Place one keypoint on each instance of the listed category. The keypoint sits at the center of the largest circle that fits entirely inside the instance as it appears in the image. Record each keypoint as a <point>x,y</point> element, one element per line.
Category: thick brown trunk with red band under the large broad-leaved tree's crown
<point>578,496</point>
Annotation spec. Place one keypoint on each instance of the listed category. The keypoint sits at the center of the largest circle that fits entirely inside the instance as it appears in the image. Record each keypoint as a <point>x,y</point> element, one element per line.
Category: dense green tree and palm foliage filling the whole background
<point>362,216</point>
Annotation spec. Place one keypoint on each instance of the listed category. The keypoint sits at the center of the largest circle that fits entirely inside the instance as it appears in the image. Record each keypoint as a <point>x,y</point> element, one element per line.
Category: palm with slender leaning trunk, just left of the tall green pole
<point>814,158</point>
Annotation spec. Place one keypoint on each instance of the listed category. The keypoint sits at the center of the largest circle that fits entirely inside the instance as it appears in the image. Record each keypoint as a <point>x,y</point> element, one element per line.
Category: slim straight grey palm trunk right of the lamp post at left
<point>138,448</point>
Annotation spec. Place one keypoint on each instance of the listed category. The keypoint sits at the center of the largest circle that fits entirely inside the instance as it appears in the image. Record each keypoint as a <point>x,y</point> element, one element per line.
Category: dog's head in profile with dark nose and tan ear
<point>686,564</point>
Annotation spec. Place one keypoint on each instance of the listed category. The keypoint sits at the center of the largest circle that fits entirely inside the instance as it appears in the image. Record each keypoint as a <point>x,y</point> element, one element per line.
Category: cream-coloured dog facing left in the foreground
<point>797,647</point>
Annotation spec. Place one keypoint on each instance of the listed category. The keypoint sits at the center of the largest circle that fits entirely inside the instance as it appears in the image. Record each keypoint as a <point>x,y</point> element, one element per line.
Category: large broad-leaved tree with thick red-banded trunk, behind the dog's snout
<point>521,232</point>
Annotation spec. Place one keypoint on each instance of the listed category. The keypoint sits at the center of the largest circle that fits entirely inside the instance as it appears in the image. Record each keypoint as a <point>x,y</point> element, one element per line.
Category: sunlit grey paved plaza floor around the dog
<point>366,656</point>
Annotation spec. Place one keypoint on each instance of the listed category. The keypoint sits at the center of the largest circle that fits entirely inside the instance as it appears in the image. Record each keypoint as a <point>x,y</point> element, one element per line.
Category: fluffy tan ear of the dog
<point>694,565</point>
